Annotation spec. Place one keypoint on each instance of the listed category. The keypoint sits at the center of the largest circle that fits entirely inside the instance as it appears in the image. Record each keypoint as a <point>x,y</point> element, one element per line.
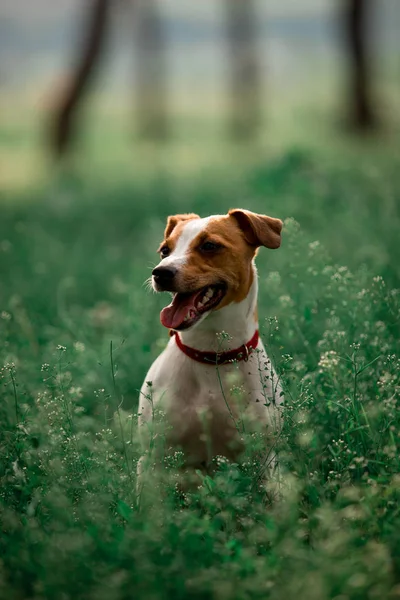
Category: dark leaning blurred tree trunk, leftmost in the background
<point>93,34</point>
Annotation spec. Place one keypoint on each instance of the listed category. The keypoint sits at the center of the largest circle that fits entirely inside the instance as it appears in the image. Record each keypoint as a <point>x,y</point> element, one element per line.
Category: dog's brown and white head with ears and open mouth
<point>206,263</point>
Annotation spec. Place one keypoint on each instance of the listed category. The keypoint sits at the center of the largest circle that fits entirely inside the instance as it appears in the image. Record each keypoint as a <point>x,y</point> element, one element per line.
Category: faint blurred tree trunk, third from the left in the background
<point>246,109</point>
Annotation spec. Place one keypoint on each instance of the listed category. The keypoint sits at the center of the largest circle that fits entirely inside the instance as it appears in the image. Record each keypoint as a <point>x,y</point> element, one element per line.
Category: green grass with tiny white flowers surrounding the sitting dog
<point>74,257</point>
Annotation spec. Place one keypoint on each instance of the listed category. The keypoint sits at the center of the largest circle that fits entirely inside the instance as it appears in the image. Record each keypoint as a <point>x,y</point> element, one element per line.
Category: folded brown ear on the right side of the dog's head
<point>258,230</point>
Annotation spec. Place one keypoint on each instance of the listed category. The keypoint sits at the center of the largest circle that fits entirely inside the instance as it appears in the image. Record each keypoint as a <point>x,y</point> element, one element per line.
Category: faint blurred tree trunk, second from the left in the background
<point>151,69</point>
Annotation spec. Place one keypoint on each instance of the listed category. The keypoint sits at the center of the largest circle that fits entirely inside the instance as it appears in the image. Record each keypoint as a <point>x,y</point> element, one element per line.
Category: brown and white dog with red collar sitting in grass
<point>214,349</point>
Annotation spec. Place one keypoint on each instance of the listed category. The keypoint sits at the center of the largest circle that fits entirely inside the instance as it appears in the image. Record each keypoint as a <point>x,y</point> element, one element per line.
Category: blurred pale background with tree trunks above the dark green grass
<point>102,81</point>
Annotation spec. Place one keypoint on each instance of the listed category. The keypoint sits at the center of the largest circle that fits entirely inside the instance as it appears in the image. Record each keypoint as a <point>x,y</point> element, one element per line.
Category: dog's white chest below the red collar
<point>205,410</point>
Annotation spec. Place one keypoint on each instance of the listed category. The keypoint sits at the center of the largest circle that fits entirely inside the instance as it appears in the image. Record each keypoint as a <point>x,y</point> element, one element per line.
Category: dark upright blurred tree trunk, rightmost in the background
<point>357,33</point>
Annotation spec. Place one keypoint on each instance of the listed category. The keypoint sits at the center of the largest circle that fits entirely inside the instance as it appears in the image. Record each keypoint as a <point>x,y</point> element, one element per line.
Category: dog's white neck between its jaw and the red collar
<point>238,320</point>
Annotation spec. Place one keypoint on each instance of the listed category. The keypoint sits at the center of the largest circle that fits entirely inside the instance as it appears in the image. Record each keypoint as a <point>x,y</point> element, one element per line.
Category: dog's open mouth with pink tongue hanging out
<point>186,309</point>
